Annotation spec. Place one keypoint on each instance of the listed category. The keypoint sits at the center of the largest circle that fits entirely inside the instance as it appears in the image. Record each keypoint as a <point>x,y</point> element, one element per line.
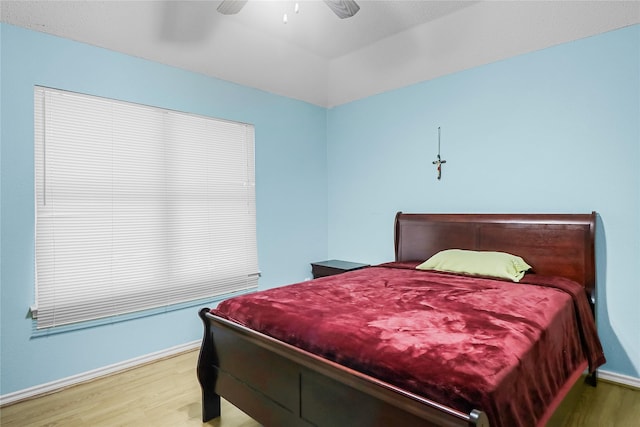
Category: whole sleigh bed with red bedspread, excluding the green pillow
<point>467,366</point>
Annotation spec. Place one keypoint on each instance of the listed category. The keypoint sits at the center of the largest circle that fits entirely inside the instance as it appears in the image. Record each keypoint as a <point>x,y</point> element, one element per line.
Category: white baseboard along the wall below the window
<point>53,386</point>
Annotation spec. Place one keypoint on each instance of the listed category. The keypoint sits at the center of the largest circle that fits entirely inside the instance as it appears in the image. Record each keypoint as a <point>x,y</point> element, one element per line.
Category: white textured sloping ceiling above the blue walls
<point>317,57</point>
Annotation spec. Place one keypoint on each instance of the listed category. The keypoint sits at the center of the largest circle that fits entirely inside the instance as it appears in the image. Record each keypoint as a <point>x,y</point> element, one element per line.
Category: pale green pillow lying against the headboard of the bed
<point>478,263</point>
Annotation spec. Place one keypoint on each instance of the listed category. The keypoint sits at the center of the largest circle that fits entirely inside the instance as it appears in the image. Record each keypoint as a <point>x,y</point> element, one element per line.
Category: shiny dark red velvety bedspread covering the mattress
<point>501,347</point>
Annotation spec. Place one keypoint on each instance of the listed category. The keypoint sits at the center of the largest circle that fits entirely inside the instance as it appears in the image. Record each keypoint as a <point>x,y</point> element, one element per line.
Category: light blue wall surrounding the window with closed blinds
<point>291,193</point>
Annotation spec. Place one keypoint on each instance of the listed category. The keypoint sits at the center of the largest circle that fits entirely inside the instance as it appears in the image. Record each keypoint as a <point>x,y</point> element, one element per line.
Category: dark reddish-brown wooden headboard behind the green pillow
<point>553,244</point>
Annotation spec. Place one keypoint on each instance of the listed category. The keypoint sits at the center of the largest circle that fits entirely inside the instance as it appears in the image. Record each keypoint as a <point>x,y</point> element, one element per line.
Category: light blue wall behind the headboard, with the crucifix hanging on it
<point>554,131</point>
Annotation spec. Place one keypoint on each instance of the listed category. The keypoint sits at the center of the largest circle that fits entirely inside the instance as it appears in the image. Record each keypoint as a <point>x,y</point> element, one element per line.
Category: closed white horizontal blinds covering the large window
<point>138,207</point>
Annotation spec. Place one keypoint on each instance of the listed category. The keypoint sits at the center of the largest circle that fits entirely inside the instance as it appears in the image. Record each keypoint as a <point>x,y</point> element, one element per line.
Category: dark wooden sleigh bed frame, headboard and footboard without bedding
<point>280,384</point>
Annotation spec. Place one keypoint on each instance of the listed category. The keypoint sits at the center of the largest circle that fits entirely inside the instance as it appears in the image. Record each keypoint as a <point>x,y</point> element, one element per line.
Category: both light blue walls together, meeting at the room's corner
<point>552,131</point>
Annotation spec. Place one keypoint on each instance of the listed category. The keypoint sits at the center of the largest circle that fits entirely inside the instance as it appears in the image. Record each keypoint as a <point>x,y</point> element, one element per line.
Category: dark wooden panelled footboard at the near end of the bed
<point>277,384</point>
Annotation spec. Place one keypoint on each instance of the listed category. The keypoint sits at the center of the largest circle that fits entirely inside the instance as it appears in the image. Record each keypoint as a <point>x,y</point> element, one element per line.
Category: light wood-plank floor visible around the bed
<point>166,393</point>
